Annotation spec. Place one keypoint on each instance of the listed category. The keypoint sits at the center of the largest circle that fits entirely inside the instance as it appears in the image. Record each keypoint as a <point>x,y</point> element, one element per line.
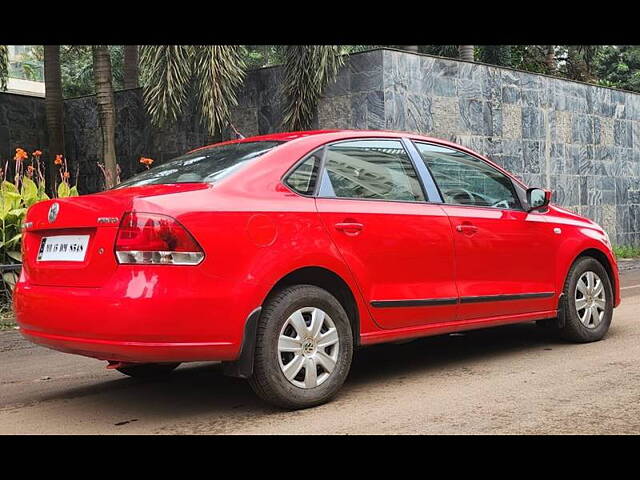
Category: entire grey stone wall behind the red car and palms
<point>580,140</point>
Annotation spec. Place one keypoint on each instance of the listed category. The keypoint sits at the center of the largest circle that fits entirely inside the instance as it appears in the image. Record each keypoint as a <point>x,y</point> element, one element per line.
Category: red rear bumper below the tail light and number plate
<point>167,314</point>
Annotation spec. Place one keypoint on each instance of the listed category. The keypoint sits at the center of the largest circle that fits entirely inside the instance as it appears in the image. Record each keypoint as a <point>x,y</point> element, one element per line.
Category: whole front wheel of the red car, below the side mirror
<point>588,302</point>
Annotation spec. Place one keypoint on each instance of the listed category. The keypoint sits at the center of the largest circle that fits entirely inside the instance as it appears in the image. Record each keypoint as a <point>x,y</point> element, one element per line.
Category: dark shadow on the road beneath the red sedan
<point>202,388</point>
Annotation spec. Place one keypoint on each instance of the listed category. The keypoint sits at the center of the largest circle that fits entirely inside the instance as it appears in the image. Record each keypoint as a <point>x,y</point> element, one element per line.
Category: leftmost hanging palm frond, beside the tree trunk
<point>168,70</point>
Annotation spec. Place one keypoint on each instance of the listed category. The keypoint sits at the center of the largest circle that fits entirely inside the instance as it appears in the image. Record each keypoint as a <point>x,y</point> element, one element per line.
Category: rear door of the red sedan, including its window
<point>398,247</point>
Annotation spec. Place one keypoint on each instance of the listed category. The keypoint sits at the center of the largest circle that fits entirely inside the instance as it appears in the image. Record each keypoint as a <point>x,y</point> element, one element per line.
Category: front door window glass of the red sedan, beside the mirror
<point>466,180</point>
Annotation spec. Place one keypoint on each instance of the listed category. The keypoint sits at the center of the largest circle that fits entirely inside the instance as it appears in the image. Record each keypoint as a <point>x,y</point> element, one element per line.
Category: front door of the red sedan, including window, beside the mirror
<point>505,257</point>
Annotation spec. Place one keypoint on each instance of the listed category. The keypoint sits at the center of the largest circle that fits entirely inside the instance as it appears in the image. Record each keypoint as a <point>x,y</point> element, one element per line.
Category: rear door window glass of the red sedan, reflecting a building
<point>372,169</point>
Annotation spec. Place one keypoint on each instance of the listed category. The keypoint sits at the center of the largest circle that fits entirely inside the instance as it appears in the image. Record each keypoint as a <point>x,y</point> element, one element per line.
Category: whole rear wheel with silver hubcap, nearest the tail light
<point>304,347</point>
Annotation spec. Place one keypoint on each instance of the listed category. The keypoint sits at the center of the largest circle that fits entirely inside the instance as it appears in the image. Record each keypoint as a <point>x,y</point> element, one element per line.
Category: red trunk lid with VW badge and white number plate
<point>91,220</point>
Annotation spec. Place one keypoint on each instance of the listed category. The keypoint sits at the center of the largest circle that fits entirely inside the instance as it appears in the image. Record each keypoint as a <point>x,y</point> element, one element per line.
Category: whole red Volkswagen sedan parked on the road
<point>280,254</point>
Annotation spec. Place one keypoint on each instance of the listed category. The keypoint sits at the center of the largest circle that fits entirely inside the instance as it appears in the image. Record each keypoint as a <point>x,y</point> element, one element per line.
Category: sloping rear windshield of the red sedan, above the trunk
<point>206,165</point>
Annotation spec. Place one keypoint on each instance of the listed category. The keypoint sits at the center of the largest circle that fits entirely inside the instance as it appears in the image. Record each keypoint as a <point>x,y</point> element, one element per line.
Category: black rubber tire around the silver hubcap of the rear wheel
<point>268,379</point>
